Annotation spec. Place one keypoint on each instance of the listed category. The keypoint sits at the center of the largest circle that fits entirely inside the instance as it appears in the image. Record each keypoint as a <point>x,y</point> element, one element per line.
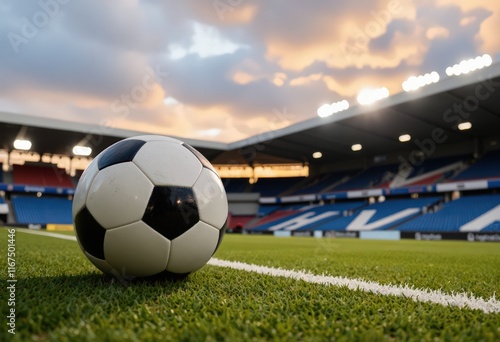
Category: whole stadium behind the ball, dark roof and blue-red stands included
<point>445,180</point>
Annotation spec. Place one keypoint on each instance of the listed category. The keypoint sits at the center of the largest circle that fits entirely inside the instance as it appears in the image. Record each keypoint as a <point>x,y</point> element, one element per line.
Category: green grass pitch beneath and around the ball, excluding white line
<point>60,296</point>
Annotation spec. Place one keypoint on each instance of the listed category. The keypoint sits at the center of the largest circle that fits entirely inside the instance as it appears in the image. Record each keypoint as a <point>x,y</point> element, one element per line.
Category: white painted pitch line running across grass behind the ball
<point>461,300</point>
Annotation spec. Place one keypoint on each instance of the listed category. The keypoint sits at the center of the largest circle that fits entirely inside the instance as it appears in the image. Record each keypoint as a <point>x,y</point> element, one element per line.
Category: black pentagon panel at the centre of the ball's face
<point>171,210</point>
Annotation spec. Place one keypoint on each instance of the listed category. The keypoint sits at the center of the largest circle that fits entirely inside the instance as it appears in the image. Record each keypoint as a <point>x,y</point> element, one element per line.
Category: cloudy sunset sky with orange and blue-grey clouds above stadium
<point>224,70</point>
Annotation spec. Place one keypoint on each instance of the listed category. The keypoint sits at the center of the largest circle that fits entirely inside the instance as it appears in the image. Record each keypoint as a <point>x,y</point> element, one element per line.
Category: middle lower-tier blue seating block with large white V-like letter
<point>379,216</point>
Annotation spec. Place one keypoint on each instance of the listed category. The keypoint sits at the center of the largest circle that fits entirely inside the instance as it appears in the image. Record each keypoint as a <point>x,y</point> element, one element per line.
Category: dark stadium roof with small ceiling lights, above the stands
<point>441,106</point>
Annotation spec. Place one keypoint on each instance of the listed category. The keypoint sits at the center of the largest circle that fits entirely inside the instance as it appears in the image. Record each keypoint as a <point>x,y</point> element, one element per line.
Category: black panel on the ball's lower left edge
<point>90,233</point>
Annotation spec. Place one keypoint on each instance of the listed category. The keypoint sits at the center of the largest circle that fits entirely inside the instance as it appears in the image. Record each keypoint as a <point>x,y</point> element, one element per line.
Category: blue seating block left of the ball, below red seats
<point>43,210</point>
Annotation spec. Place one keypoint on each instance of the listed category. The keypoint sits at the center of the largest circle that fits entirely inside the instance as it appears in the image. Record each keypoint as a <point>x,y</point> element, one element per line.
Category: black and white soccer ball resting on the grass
<point>149,205</point>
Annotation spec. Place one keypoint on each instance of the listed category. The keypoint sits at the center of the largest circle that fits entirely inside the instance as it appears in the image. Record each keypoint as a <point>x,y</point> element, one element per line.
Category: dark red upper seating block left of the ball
<point>41,176</point>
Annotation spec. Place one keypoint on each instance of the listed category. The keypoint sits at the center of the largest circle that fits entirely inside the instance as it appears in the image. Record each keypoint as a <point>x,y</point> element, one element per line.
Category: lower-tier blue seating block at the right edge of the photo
<point>455,214</point>
